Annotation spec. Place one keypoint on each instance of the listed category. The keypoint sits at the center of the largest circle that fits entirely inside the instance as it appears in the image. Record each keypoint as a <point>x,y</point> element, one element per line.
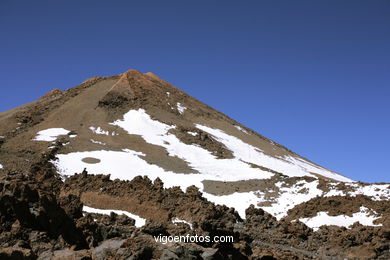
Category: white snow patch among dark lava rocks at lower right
<point>323,218</point>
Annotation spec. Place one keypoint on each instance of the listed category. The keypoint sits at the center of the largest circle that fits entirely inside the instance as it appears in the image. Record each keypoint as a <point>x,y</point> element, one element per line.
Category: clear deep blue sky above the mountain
<point>311,75</point>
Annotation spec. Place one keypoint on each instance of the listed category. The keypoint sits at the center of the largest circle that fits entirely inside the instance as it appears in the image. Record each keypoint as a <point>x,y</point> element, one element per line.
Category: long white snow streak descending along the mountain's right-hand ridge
<point>248,153</point>
